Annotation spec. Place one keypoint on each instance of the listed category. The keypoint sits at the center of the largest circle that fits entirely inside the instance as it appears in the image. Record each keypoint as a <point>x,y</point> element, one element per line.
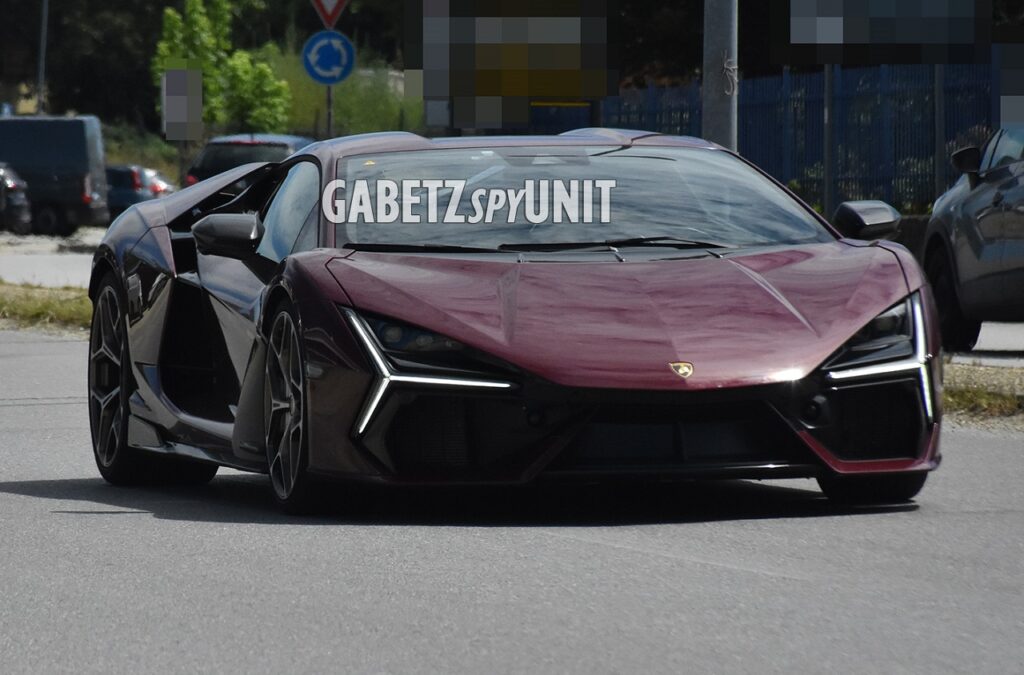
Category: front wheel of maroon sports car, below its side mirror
<point>285,412</point>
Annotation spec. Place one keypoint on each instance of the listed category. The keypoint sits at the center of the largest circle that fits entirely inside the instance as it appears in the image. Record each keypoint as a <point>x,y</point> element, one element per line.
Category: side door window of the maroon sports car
<point>289,212</point>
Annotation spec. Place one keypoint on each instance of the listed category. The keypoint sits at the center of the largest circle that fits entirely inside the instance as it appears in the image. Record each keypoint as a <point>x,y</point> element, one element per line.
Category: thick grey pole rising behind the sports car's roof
<point>720,90</point>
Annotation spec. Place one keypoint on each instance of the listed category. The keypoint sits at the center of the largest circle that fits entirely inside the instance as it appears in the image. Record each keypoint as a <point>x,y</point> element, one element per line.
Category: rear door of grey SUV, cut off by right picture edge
<point>1012,227</point>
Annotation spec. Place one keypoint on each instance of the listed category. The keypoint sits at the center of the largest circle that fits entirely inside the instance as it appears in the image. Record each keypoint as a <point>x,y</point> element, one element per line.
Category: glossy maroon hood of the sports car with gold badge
<point>747,319</point>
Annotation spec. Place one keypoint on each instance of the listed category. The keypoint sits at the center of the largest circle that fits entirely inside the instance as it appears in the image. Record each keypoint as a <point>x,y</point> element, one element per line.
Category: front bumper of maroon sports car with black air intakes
<point>421,429</point>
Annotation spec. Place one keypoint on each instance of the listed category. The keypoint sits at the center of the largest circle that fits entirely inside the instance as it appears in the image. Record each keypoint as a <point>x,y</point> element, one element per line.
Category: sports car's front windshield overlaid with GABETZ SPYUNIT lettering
<point>522,197</point>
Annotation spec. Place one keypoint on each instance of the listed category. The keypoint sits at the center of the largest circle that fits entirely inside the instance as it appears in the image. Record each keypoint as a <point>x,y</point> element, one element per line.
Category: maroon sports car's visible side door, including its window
<point>236,287</point>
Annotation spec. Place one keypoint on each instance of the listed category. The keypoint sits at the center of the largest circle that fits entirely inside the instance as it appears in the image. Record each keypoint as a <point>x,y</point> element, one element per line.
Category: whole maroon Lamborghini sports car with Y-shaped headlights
<point>594,306</point>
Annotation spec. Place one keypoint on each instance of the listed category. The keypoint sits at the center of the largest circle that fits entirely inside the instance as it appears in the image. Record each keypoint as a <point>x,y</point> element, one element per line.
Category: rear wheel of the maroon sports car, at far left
<point>110,385</point>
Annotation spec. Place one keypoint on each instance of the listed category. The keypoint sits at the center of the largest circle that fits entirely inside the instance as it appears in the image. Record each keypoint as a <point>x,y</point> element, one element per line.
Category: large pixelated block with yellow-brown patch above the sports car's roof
<point>490,65</point>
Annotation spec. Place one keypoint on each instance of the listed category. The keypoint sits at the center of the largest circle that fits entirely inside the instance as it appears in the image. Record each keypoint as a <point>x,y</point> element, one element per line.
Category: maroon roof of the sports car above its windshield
<point>327,151</point>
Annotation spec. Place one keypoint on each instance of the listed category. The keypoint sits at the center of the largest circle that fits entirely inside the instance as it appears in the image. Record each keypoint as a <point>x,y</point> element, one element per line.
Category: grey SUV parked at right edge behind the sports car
<point>973,251</point>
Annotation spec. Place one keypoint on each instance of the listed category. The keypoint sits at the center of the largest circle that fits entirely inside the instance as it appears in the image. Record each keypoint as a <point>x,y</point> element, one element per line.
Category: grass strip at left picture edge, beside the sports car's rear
<point>34,306</point>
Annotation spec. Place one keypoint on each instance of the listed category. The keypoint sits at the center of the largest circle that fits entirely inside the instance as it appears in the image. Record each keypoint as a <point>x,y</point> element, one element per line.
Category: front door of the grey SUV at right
<point>978,227</point>
